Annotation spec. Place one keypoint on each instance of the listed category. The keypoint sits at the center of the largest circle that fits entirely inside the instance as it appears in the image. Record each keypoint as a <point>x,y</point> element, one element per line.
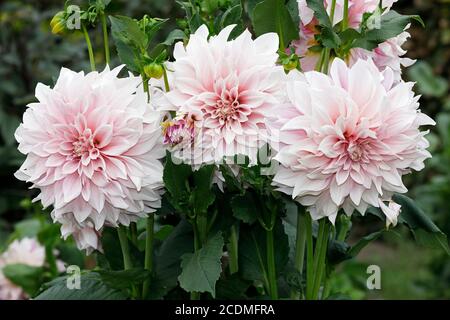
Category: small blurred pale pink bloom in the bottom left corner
<point>25,251</point>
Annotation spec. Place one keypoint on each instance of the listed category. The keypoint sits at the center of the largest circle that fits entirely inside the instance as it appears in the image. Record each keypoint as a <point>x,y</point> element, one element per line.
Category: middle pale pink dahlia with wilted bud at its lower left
<point>224,88</point>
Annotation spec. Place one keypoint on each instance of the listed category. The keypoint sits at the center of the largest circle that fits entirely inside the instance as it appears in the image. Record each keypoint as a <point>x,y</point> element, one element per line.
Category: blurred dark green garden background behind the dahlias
<point>30,53</point>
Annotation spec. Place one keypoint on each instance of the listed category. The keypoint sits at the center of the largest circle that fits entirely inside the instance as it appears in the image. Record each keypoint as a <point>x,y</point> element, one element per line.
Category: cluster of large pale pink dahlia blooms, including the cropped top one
<point>344,140</point>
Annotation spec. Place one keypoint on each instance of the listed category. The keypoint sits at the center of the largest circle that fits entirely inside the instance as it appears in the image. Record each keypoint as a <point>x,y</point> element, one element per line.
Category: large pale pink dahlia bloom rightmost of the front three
<point>346,143</point>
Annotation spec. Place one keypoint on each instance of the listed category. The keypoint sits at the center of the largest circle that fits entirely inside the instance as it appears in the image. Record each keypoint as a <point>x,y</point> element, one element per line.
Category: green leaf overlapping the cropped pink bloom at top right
<point>391,25</point>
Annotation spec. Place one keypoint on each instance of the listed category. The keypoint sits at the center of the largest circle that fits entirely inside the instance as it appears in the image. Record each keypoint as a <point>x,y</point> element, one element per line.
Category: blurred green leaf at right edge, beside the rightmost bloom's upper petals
<point>428,83</point>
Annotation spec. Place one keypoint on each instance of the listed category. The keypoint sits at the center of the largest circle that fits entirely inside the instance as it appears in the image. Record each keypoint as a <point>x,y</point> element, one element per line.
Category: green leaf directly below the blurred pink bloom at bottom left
<point>29,278</point>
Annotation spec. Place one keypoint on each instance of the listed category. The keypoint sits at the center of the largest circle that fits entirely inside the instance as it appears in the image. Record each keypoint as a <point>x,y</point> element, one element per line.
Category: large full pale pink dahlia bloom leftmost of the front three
<point>93,145</point>
